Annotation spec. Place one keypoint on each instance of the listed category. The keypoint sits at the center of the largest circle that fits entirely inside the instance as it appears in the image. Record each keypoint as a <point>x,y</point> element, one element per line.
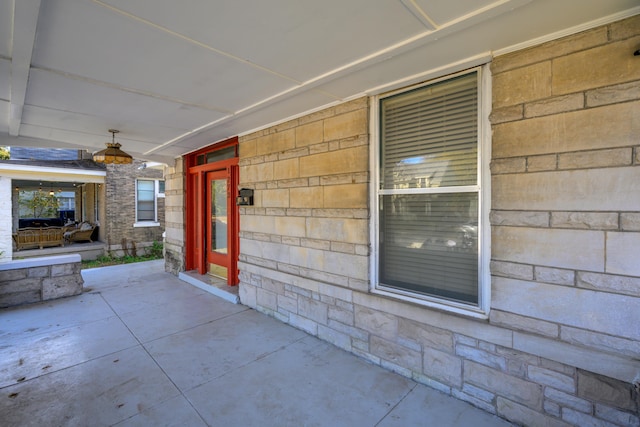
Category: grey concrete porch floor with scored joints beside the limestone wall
<point>141,347</point>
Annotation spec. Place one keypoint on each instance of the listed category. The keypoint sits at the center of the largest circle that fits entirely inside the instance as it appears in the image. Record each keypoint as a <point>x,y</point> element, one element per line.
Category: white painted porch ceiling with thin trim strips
<point>174,76</point>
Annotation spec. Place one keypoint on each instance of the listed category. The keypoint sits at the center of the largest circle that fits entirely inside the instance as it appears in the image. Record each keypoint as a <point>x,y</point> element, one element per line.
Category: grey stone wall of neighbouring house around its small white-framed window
<point>120,190</point>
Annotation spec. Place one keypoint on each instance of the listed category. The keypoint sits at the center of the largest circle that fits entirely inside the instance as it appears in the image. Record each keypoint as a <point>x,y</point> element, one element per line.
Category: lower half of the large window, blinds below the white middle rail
<point>429,244</point>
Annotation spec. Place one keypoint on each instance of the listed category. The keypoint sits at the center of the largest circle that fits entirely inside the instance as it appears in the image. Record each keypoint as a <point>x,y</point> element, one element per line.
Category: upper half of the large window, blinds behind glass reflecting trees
<point>429,136</point>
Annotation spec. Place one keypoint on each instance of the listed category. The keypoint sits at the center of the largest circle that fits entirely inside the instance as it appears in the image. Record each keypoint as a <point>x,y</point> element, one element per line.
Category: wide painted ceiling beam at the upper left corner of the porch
<point>25,22</point>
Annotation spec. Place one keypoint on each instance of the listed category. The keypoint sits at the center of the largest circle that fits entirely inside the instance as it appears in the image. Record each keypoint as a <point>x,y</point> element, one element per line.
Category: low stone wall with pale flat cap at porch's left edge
<point>39,279</point>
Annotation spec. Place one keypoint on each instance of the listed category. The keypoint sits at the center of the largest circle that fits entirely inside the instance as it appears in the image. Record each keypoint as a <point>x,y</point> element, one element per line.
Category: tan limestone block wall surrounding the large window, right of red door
<point>561,344</point>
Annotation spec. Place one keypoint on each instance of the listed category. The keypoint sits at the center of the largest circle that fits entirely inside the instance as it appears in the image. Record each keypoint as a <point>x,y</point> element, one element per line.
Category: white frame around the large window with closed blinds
<point>481,310</point>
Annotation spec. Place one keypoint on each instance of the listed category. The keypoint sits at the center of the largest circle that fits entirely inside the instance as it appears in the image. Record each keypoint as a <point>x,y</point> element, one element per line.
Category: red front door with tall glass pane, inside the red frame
<point>217,223</point>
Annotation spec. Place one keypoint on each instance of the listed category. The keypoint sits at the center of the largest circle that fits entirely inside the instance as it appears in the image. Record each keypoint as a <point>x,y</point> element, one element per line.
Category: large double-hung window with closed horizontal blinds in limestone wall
<point>429,194</point>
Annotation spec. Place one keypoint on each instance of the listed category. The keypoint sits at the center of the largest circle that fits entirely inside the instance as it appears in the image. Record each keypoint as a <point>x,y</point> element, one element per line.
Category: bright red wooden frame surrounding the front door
<point>195,210</point>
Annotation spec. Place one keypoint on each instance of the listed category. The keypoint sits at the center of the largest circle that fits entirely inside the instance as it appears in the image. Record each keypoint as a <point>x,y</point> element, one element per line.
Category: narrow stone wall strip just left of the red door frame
<point>174,217</point>
